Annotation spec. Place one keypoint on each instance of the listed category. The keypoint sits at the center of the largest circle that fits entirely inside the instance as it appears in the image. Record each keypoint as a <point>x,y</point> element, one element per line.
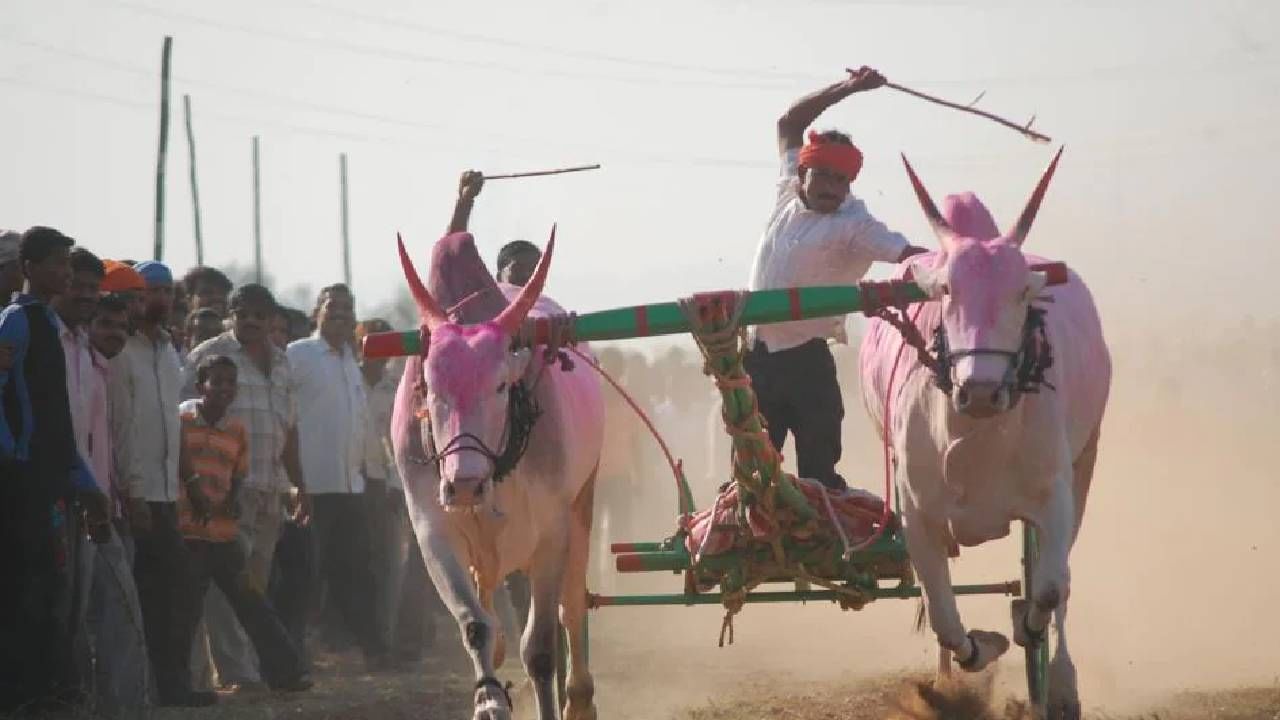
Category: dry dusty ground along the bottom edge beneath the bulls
<point>438,691</point>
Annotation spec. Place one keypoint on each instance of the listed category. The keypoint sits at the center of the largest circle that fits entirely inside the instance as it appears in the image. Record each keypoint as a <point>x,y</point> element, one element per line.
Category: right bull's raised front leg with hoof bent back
<point>973,650</point>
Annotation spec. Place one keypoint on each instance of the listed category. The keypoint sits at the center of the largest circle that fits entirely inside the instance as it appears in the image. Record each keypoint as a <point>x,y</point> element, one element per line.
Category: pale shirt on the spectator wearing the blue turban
<point>145,384</point>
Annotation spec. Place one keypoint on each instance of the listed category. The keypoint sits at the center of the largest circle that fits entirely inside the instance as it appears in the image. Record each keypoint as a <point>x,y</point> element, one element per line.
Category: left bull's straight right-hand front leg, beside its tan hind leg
<point>546,580</point>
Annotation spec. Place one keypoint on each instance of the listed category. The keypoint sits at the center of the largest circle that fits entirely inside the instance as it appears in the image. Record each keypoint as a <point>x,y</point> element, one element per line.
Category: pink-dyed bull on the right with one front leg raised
<point>996,432</point>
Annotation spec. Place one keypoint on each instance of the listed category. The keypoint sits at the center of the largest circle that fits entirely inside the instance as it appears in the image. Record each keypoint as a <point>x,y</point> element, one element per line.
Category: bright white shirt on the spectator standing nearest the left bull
<point>333,416</point>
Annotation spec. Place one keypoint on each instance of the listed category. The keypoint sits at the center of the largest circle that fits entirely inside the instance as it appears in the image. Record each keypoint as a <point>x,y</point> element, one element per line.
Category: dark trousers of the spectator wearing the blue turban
<point>162,568</point>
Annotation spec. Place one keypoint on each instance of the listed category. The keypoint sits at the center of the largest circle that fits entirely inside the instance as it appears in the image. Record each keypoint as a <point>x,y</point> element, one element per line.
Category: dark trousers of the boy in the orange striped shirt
<point>226,564</point>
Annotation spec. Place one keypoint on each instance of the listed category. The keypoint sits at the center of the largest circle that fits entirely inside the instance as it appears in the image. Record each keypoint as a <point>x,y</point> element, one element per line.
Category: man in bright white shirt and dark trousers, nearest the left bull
<point>333,418</point>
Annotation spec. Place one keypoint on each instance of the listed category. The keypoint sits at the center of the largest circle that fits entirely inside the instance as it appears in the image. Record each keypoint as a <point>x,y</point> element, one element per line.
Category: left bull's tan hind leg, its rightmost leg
<point>580,690</point>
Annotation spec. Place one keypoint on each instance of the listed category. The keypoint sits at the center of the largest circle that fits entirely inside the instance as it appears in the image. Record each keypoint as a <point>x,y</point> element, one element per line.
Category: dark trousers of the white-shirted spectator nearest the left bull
<point>340,528</point>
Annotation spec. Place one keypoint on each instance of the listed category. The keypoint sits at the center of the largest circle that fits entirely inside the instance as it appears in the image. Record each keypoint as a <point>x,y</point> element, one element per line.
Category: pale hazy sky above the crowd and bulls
<point>1171,113</point>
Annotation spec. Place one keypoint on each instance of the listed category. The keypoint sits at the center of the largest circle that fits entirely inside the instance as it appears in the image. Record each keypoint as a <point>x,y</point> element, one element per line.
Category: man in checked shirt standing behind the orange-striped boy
<point>266,405</point>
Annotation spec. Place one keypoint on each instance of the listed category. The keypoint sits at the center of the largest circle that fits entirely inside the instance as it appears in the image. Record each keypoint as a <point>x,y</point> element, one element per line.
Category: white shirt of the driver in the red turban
<point>803,249</point>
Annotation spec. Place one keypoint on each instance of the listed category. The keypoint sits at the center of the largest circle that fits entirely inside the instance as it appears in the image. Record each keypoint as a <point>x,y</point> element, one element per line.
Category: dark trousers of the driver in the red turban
<point>798,394</point>
